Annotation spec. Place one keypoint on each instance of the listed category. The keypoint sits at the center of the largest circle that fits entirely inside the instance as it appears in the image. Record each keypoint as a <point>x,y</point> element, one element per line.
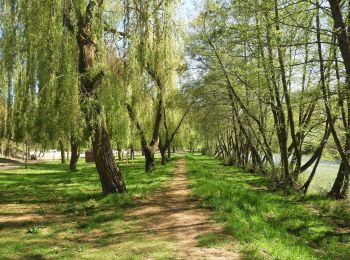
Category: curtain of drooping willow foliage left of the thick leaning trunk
<point>43,74</point>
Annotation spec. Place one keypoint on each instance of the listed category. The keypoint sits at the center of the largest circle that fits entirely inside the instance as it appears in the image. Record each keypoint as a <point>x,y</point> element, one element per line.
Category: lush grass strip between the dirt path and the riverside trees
<point>269,225</point>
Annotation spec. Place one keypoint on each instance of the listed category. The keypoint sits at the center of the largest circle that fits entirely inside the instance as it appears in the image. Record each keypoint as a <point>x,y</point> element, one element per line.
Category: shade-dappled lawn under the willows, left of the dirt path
<point>48,212</point>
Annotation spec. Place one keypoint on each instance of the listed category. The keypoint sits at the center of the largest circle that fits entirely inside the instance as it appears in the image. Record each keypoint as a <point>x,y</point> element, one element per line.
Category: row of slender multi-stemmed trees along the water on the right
<point>274,82</point>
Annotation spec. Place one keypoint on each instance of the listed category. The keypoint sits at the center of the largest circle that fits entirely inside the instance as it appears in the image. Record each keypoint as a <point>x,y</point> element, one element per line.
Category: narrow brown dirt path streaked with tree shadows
<point>173,216</point>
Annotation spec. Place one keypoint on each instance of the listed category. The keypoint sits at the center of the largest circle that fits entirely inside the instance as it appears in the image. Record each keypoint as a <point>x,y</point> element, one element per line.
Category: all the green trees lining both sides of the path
<point>260,84</point>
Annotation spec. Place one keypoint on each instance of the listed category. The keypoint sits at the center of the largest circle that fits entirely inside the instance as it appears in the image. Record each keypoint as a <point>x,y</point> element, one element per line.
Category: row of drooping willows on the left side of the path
<point>98,72</point>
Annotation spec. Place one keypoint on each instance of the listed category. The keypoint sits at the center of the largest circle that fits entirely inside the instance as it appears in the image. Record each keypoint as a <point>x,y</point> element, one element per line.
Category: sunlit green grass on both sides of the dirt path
<point>47,212</point>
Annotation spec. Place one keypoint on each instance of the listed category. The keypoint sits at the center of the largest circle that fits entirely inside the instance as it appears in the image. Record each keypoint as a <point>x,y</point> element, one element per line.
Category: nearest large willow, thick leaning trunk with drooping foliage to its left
<point>63,54</point>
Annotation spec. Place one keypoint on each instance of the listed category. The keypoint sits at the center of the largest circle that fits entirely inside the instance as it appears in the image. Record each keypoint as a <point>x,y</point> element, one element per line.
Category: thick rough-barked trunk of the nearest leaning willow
<point>108,170</point>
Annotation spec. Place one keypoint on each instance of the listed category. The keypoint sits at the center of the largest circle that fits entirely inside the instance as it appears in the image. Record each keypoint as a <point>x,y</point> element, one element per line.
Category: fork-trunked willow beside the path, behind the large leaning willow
<point>153,53</point>
